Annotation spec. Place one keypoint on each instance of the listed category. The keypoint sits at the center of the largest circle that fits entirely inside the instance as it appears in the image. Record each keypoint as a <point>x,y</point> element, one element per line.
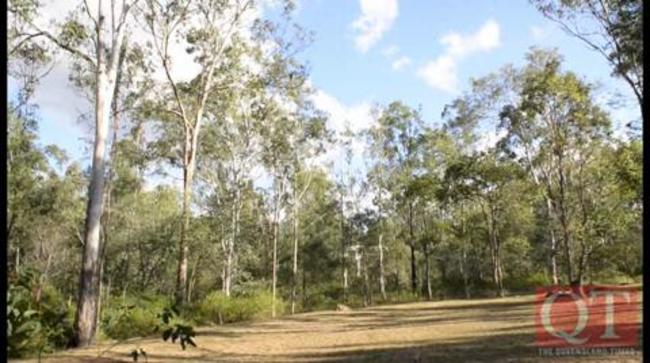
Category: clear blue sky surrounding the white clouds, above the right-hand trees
<point>343,71</point>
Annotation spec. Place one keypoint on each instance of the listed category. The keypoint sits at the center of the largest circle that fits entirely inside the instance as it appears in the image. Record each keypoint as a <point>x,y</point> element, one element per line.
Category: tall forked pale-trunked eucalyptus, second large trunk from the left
<point>211,33</point>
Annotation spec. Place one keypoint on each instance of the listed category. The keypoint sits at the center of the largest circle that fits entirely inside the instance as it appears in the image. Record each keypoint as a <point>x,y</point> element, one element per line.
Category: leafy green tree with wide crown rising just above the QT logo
<point>560,125</point>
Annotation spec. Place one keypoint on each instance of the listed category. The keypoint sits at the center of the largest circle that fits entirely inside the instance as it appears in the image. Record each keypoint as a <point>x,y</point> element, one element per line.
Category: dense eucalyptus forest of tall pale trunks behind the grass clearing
<point>258,226</point>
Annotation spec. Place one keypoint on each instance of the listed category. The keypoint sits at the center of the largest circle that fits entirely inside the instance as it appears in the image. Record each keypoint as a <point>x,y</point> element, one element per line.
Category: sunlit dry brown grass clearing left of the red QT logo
<point>486,330</point>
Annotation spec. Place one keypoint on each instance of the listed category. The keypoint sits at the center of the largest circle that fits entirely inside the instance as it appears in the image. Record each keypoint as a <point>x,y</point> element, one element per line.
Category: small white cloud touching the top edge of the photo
<point>377,17</point>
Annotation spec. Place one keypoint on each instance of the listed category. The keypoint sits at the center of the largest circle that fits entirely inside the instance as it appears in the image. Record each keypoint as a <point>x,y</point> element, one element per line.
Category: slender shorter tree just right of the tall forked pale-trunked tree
<point>231,149</point>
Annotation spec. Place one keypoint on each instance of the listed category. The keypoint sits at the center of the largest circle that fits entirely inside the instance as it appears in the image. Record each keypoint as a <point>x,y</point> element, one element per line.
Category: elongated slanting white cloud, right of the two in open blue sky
<point>441,73</point>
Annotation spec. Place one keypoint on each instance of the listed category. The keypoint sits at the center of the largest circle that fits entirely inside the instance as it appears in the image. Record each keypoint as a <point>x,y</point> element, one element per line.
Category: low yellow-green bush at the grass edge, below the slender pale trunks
<point>218,308</point>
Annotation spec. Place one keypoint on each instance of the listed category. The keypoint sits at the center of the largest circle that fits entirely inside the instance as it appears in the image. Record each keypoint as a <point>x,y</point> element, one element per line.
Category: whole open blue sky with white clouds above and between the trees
<point>367,51</point>
